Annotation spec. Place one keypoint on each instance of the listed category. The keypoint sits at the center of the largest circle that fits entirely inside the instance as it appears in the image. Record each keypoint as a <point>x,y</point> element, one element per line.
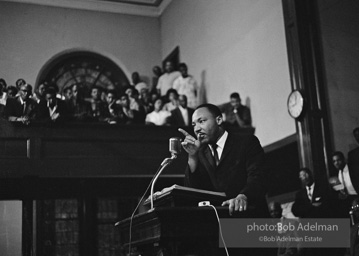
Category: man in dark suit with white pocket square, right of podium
<point>314,200</point>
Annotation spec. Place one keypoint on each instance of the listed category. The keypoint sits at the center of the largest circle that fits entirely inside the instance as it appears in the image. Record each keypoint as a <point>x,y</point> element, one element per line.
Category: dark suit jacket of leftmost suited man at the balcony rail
<point>14,108</point>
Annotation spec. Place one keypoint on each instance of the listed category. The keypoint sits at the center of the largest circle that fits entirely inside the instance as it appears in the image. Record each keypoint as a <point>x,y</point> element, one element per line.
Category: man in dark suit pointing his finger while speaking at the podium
<point>225,162</point>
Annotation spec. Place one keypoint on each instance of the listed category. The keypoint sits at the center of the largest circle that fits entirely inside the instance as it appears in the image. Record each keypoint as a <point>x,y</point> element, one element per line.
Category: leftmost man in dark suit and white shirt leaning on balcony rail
<point>22,108</point>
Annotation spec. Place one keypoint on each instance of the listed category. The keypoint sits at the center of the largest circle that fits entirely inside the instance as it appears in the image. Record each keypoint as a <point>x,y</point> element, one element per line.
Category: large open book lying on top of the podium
<point>177,195</point>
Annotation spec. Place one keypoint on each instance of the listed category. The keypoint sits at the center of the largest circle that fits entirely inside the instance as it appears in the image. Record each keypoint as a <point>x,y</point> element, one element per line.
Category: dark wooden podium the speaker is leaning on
<point>174,230</point>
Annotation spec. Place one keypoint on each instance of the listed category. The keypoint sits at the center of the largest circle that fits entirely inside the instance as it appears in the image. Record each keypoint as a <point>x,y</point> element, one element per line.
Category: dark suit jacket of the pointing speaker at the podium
<point>241,170</point>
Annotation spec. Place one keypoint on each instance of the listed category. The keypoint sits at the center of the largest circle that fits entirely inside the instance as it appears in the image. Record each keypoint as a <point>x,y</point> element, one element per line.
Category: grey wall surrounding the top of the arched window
<point>32,34</point>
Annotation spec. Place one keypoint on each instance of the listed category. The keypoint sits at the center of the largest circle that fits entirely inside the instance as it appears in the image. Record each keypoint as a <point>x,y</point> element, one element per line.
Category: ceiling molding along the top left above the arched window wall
<point>127,7</point>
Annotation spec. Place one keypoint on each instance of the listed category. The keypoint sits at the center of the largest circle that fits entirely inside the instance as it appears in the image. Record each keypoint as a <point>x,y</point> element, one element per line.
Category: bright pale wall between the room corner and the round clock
<point>232,45</point>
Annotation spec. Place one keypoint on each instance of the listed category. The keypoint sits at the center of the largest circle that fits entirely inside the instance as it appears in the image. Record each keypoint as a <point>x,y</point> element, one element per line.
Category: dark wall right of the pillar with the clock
<point>339,27</point>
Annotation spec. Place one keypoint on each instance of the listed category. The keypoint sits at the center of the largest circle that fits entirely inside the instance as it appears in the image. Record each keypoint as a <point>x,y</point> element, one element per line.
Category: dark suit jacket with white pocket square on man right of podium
<point>322,195</point>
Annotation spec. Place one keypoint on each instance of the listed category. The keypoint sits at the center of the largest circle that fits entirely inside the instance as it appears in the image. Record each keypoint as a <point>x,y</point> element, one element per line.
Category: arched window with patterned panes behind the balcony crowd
<point>86,69</point>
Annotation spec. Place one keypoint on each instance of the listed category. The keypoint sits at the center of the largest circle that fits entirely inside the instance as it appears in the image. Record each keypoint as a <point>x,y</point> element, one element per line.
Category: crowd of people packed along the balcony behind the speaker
<point>170,100</point>
